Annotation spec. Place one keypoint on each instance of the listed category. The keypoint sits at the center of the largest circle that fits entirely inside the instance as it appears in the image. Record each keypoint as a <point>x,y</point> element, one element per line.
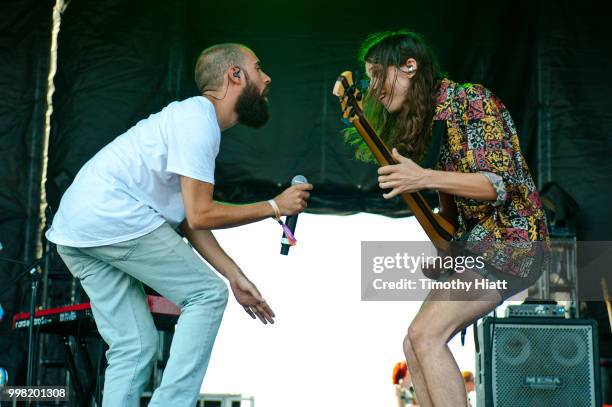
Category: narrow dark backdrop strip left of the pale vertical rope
<point>25,28</point>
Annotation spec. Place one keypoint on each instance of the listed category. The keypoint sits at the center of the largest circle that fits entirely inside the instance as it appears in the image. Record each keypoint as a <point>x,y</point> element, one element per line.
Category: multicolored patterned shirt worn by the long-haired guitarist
<point>481,137</point>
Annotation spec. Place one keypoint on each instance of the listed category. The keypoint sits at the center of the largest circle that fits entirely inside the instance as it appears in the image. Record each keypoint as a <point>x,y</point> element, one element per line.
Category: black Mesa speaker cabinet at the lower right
<point>537,362</point>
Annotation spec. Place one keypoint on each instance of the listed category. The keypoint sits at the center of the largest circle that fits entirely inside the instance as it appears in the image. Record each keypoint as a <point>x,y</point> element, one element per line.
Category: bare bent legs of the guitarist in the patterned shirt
<point>436,376</point>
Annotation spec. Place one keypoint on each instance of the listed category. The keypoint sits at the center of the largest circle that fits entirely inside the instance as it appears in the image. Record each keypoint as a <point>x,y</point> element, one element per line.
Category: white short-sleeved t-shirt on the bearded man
<point>132,186</point>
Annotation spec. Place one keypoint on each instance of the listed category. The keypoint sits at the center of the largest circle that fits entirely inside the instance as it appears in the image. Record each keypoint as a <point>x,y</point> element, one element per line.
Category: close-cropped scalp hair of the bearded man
<point>214,61</point>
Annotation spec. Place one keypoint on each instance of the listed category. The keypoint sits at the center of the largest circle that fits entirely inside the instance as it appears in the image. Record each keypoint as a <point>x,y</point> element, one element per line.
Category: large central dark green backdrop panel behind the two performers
<point>120,61</point>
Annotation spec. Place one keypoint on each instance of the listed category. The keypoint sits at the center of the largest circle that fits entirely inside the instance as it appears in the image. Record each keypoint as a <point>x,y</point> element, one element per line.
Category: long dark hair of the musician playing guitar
<point>409,130</point>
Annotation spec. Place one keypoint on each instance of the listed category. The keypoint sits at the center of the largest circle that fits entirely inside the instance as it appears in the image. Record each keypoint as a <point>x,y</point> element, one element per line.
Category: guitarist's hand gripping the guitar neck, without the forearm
<point>405,176</point>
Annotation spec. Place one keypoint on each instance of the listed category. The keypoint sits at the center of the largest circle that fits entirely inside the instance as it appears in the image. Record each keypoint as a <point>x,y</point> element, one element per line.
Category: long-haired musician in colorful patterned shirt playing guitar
<point>480,166</point>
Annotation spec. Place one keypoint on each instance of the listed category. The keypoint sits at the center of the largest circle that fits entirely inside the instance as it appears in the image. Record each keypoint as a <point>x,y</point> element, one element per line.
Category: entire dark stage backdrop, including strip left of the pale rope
<point>120,61</point>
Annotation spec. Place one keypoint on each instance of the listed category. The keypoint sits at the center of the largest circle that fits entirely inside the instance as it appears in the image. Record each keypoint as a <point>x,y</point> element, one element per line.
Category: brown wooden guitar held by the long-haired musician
<point>439,227</point>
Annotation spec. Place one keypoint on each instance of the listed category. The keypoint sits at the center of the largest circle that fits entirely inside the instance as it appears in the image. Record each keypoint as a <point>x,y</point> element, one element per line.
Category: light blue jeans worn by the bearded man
<point>112,275</point>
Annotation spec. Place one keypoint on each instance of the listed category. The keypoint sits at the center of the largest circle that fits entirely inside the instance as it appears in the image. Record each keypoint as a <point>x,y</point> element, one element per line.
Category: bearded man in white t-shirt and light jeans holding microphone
<point>116,229</point>
